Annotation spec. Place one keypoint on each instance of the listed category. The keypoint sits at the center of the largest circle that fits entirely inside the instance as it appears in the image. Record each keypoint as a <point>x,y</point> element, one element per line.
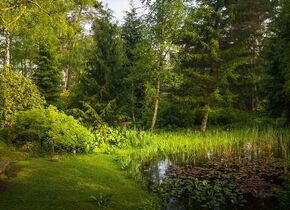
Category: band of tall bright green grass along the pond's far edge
<point>191,145</point>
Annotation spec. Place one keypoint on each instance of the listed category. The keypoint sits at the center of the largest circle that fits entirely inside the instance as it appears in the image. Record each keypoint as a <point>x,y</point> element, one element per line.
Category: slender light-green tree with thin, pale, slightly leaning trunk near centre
<point>153,64</point>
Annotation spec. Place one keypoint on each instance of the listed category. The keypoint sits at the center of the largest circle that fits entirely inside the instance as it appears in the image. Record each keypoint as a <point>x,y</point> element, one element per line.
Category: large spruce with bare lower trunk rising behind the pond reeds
<point>209,56</point>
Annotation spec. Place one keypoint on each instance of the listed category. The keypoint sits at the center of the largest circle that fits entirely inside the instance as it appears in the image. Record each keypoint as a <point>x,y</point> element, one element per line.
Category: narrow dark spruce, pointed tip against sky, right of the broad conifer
<point>133,35</point>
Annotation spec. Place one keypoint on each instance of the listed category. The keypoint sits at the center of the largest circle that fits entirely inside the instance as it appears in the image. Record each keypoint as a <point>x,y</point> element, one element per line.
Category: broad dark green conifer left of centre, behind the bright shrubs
<point>101,83</point>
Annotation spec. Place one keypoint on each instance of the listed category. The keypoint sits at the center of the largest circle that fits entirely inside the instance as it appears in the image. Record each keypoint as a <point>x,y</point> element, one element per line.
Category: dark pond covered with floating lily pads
<point>245,179</point>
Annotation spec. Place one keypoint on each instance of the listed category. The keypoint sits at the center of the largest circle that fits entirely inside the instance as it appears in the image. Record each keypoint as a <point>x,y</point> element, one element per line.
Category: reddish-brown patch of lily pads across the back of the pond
<point>257,177</point>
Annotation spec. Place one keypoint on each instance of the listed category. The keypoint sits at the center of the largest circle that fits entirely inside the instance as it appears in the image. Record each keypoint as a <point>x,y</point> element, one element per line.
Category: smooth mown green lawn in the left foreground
<point>42,184</point>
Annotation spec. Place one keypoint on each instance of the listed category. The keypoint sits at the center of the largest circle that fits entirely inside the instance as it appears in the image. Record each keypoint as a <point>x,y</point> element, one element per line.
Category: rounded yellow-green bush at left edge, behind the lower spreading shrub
<point>17,93</point>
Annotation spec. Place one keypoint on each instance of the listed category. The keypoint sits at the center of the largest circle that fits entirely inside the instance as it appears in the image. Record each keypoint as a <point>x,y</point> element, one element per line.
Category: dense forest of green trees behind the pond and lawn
<point>170,64</point>
